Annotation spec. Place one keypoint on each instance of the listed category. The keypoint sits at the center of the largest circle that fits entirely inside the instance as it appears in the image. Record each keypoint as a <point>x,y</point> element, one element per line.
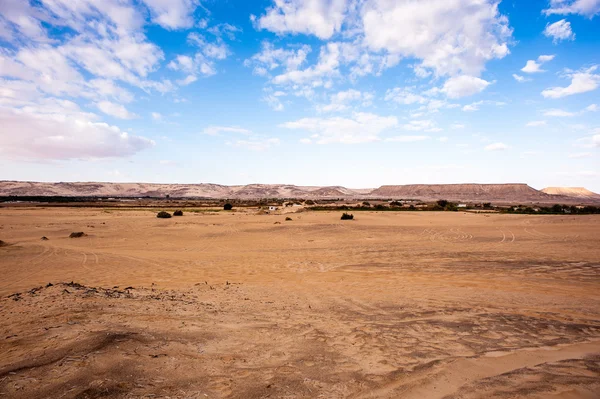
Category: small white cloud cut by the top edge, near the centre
<point>316,17</point>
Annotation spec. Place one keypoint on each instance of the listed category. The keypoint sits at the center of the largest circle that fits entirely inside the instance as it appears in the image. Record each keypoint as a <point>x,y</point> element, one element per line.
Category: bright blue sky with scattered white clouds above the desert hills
<point>351,92</point>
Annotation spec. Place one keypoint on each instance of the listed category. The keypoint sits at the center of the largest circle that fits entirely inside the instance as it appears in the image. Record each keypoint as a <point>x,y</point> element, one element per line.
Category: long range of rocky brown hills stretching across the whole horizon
<point>498,193</point>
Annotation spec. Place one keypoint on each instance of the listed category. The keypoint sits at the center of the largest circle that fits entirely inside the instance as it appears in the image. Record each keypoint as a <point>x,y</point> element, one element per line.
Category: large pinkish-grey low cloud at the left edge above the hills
<point>58,129</point>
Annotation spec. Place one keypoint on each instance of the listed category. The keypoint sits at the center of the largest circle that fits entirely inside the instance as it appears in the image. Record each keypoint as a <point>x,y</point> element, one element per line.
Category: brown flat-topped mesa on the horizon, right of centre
<point>512,192</point>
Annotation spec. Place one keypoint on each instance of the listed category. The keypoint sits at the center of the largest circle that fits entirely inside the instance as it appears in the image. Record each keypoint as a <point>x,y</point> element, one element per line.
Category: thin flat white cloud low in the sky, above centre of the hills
<point>361,128</point>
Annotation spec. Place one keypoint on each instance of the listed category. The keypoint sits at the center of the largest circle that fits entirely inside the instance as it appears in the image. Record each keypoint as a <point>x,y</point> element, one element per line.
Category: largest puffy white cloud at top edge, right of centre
<point>449,37</point>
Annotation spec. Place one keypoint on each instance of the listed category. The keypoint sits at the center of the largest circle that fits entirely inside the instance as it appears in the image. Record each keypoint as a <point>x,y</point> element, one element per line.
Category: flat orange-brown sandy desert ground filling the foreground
<point>390,305</point>
